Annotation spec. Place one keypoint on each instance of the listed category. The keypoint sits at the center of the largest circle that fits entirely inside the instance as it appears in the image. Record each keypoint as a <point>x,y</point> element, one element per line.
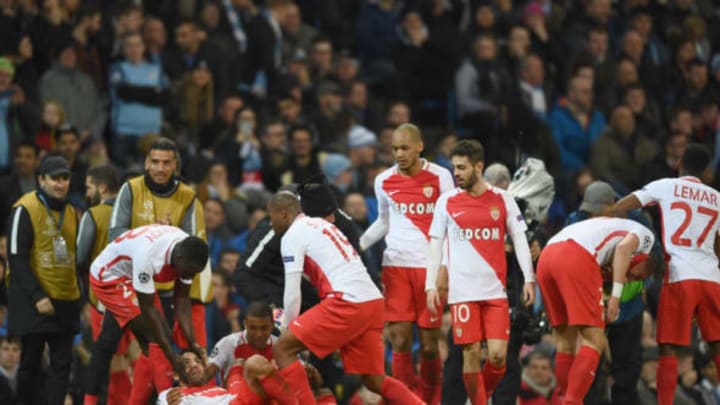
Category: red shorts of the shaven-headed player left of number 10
<point>405,297</point>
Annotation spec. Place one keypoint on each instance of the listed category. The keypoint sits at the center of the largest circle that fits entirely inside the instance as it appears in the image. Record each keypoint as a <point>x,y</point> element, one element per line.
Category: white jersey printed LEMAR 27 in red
<point>689,215</point>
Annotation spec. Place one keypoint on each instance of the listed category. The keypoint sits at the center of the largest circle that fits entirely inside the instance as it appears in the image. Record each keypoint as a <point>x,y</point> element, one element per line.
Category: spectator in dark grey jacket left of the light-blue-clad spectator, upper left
<point>76,91</point>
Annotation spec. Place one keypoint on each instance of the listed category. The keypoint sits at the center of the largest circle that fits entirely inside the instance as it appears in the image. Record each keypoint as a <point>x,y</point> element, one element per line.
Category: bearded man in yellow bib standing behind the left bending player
<point>159,197</point>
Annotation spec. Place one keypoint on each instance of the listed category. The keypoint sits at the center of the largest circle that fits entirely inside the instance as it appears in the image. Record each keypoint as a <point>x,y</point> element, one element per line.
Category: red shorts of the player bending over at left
<point>119,298</point>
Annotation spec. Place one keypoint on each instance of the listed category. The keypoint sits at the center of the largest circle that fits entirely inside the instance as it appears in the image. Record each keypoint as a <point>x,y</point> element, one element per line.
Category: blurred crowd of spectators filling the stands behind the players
<point>261,94</point>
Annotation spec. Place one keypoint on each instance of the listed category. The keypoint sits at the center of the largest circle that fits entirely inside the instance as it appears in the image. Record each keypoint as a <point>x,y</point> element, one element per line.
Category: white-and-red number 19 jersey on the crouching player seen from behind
<point>325,256</point>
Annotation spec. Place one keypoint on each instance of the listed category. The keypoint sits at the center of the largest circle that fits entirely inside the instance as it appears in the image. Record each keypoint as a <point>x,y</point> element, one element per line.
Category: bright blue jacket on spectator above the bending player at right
<point>573,140</point>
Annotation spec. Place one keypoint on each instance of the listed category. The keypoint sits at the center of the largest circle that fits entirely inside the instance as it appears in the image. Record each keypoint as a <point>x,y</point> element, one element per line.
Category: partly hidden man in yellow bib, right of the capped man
<point>101,184</point>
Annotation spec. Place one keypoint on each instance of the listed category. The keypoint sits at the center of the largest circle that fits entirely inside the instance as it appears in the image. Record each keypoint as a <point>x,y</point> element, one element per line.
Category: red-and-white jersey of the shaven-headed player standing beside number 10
<point>409,203</point>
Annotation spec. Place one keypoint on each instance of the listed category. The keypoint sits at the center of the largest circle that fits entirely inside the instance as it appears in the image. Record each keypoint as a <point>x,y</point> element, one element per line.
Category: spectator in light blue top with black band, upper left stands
<point>139,90</point>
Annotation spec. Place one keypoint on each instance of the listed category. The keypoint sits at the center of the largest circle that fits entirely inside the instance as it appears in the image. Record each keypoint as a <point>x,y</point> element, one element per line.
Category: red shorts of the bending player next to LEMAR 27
<point>571,285</point>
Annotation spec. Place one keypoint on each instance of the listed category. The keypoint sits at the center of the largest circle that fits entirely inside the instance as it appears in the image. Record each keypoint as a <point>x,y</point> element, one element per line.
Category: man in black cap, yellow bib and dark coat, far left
<point>43,291</point>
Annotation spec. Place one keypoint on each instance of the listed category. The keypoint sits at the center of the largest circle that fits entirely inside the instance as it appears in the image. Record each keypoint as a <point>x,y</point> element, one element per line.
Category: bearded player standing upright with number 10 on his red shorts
<point>476,218</point>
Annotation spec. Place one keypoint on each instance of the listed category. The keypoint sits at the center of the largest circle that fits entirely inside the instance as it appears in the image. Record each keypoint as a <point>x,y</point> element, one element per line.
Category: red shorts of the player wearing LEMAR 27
<point>680,302</point>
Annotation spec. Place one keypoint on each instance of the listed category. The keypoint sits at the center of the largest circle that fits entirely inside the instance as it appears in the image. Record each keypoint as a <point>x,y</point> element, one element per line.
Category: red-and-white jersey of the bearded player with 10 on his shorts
<point>476,227</point>
